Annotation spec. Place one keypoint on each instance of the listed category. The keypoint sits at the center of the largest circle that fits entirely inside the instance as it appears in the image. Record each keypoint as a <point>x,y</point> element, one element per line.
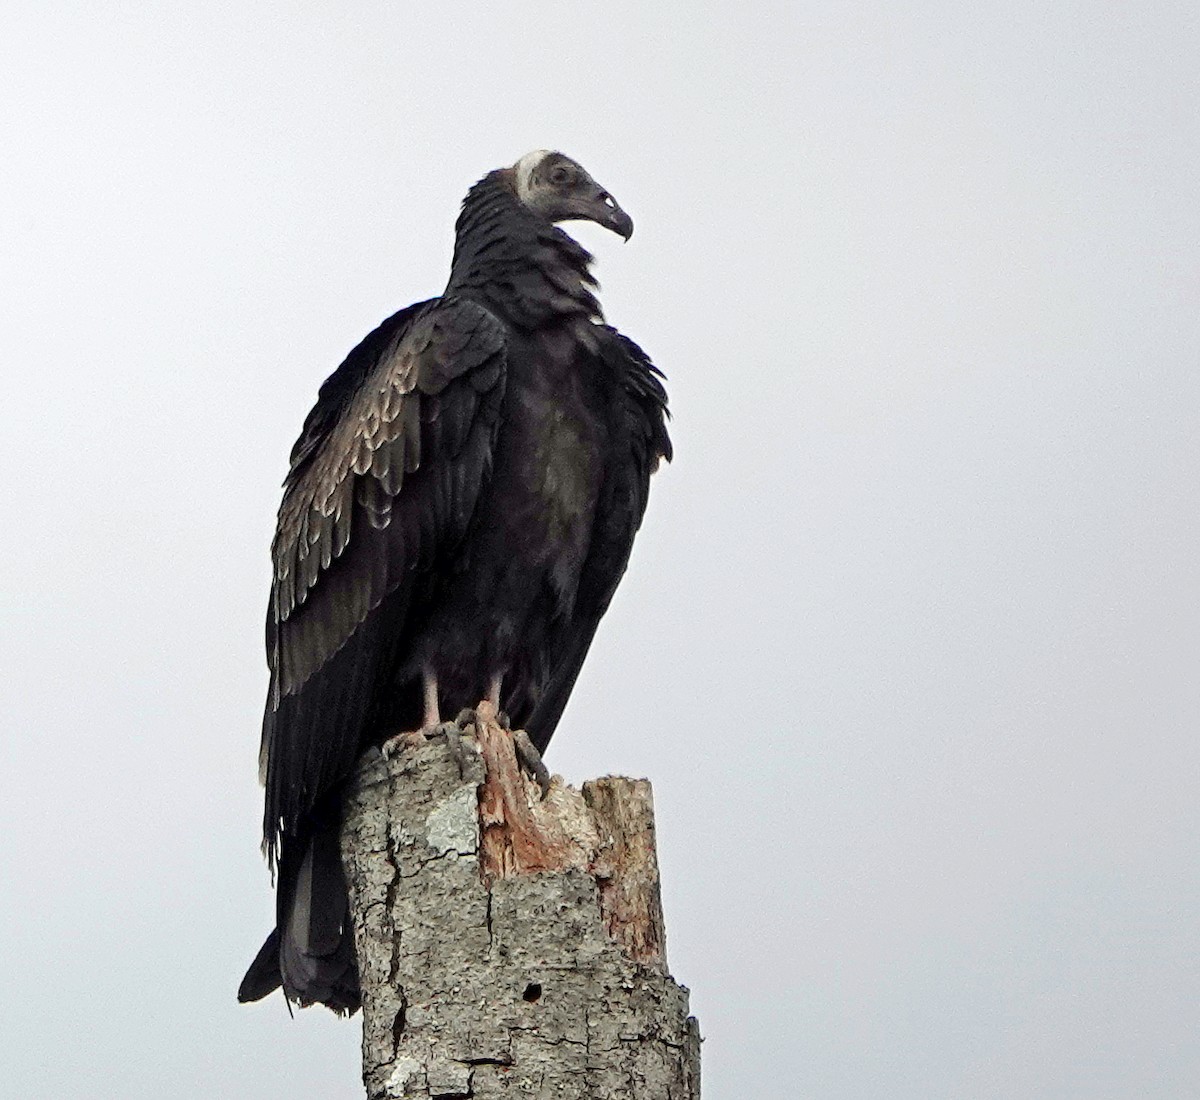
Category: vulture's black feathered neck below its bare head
<point>515,262</point>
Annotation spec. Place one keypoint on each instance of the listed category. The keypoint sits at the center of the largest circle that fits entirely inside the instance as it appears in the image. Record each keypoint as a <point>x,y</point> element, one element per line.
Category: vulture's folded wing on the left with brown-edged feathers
<point>377,492</point>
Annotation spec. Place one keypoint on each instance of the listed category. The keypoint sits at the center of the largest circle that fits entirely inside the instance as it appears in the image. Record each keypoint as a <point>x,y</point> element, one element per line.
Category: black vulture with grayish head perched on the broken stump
<point>460,509</point>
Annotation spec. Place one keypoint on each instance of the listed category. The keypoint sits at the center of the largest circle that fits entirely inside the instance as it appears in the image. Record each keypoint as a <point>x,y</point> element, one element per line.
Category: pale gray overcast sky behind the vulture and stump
<point>909,645</point>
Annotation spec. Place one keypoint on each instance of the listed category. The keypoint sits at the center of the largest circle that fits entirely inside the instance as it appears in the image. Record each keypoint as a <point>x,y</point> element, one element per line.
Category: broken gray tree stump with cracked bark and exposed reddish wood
<point>511,946</point>
